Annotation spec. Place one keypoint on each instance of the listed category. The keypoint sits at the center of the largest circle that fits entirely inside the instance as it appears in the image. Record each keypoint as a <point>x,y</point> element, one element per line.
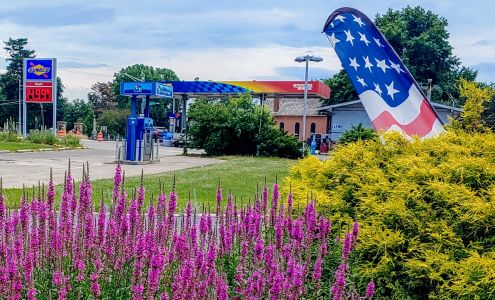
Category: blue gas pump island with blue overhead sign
<point>139,144</point>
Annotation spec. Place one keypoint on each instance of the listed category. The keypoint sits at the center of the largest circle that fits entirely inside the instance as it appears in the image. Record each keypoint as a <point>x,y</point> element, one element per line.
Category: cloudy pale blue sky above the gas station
<point>215,39</point>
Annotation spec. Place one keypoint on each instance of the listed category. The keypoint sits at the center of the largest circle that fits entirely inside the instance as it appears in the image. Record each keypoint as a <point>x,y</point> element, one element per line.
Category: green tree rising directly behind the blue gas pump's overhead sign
<point>139,71</point>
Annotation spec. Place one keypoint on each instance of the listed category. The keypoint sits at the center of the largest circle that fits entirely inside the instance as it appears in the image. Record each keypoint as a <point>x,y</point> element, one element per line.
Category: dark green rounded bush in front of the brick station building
<point>238,126</point>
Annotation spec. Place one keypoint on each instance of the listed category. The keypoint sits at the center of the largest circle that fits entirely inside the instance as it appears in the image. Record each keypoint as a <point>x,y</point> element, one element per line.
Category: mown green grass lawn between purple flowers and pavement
<point>237,174</point>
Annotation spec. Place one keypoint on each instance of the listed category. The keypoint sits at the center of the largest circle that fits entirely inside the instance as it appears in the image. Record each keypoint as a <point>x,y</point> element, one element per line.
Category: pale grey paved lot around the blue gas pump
<point>30,168</point>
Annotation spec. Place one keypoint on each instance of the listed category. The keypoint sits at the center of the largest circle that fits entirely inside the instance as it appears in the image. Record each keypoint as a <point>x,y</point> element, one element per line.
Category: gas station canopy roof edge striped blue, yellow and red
<point>280,88</point>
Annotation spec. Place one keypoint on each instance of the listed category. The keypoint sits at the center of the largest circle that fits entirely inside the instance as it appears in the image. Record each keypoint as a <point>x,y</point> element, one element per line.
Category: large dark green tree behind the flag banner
<point>420,38</point>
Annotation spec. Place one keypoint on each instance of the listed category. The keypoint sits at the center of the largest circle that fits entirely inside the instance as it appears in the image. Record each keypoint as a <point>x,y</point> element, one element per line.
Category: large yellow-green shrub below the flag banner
<point>427,211</point>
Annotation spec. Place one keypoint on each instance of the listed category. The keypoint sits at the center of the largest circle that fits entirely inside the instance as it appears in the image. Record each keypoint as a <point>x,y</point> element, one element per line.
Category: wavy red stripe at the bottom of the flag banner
<point>421,125</point>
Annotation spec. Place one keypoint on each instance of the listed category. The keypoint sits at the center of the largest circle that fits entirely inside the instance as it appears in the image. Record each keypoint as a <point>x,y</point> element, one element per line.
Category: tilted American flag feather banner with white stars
<point>389,93</point>
